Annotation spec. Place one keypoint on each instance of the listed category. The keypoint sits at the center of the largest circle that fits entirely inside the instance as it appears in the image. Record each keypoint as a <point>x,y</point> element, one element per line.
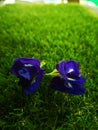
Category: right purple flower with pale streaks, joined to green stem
<point>68,79</point>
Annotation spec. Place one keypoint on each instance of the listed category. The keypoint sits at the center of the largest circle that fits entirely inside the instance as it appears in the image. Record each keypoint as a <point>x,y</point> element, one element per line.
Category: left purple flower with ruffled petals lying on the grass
<point>29,73</point>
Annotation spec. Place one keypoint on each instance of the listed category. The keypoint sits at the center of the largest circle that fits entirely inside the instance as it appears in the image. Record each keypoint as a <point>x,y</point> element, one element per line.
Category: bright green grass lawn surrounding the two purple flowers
<point>50,33</point>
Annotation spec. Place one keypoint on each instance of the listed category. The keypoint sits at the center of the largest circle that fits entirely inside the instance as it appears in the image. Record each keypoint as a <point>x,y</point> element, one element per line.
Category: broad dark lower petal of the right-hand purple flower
<point>73,87</point>
